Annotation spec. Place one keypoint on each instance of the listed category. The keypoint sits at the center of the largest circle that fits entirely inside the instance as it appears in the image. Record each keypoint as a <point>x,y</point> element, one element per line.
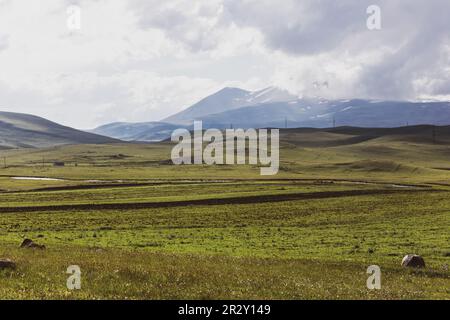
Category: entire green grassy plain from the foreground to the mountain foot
<point>140,228</point>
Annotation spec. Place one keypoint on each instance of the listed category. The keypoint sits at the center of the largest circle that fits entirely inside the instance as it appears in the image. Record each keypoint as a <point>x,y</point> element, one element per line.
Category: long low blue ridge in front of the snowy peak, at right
<point>323,113</point>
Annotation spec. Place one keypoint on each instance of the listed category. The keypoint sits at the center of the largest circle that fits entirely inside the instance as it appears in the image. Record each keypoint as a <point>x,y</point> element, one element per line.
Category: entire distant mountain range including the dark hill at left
<point>231,107</point>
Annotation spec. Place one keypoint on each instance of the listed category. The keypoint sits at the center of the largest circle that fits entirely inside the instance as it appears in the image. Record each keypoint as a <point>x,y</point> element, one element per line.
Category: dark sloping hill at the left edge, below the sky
<point>19,130</point>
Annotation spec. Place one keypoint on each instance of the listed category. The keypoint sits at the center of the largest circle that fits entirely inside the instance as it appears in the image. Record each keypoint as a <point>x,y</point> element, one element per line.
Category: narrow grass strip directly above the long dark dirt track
<point>166,191</point>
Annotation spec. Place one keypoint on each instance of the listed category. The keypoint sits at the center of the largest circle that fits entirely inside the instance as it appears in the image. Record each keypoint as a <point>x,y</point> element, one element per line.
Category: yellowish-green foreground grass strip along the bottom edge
<point>126,274</point>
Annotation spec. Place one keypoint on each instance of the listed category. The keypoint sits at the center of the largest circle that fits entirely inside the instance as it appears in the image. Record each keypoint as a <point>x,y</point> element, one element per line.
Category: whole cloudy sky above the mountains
<point>87,63</point>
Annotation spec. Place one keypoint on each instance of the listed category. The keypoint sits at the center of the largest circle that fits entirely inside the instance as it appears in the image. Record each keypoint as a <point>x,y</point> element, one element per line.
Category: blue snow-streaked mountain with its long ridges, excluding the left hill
<point>273,107</point>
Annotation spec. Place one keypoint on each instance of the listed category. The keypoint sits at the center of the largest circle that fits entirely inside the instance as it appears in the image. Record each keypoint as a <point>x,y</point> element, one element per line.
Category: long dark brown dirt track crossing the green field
<point>200,202</point>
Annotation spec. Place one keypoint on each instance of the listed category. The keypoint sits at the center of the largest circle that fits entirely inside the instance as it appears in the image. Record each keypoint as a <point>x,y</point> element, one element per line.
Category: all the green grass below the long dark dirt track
<point>342,235</point>
